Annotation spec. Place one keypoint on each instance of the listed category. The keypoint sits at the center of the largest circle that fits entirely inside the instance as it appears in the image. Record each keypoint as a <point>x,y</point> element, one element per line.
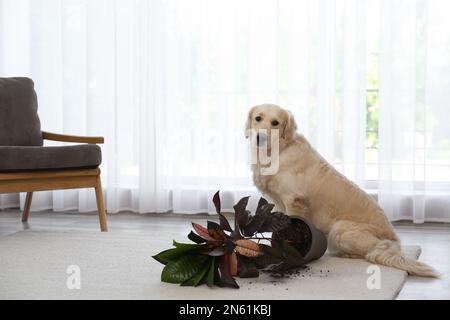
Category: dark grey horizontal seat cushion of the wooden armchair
<point>19,159</point>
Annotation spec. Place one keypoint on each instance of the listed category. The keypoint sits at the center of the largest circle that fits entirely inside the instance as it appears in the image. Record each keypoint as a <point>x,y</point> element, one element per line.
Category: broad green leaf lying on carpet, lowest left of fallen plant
<point>183,268</point>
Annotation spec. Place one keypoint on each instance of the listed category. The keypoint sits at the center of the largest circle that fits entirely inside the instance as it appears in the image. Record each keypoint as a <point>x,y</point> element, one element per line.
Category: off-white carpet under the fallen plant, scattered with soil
<point>33,265</point>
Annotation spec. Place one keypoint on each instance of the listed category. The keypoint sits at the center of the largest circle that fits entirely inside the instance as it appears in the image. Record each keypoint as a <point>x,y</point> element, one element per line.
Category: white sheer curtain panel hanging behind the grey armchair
<point>97,69</point>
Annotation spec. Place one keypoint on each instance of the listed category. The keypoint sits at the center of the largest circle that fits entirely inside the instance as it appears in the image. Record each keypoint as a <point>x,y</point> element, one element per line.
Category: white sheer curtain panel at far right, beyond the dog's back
<point>414,146</point>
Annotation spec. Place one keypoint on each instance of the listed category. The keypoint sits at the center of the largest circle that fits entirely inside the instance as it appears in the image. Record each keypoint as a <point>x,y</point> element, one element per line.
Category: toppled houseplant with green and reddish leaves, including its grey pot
<point>219,252</point>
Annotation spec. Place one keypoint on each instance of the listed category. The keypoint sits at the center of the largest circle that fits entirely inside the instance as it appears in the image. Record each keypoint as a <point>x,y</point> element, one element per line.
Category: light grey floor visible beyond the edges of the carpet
<point>434,239</point>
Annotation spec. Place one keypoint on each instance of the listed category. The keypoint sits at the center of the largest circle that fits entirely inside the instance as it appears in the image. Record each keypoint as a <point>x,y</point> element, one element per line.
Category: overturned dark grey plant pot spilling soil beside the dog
<point>303,235</point>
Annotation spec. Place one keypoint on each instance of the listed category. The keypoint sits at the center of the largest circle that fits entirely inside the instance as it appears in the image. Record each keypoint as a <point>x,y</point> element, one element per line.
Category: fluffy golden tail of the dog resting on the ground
<point>388,253</point>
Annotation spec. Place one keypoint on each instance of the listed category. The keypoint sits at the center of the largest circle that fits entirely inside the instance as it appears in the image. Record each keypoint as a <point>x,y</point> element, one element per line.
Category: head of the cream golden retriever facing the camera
<point>264,119</point>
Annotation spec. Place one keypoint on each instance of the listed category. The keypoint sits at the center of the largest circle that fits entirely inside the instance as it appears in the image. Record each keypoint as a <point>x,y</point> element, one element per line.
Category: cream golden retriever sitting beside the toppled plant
<point>306,184</point>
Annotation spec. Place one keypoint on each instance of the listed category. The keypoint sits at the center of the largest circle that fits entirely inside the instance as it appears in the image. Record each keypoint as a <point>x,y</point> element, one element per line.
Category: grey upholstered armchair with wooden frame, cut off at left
<point>26,165</point>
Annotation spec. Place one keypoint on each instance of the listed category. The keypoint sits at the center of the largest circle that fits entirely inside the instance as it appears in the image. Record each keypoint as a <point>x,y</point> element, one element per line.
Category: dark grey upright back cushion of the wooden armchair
<point>19,121</point>
